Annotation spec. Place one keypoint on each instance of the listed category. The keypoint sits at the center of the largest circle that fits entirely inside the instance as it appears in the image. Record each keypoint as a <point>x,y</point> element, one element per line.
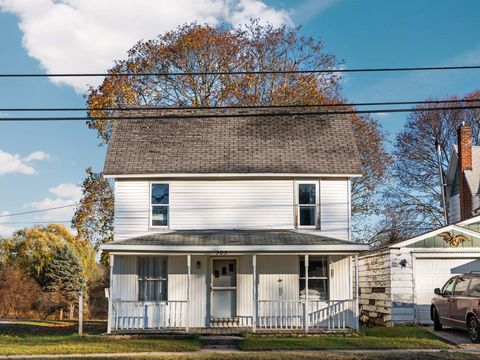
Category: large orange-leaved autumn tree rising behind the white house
<point>253,47</point>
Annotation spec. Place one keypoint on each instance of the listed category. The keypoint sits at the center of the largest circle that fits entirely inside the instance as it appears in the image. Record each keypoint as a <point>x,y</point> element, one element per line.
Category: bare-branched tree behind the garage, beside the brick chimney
<point>413,195</point>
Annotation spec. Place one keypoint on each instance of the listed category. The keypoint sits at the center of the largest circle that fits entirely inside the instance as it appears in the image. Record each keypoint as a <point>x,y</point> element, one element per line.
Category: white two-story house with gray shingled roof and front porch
<point>237,218</point>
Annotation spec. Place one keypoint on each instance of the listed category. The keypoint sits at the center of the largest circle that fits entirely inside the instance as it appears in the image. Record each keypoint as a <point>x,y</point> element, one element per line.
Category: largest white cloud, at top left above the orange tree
<point>88,35</point>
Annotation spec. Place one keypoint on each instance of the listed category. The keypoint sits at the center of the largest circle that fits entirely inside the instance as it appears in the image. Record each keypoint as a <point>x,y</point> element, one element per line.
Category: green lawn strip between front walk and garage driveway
<point>399,337</point>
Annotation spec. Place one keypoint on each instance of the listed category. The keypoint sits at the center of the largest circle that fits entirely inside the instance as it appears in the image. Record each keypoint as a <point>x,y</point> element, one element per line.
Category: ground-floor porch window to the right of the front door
<point>317,278</point>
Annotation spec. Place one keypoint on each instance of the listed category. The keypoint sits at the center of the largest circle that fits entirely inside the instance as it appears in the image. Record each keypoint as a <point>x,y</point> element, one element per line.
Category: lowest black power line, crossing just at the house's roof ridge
<point>210,116</point>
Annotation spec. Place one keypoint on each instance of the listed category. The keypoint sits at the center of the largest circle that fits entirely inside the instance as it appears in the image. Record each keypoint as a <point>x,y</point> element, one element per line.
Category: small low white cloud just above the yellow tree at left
<point>66,194</point>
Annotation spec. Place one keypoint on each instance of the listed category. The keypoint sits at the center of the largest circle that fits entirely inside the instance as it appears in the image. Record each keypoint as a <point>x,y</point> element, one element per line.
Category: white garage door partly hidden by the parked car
<point>431,273</point>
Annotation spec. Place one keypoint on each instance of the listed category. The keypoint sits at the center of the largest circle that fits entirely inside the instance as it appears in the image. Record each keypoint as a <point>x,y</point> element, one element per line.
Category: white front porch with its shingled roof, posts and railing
<point>261,281</point>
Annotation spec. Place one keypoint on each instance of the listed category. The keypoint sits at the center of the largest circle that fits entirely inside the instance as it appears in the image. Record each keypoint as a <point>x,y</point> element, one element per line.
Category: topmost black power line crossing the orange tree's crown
<point>253,72</point>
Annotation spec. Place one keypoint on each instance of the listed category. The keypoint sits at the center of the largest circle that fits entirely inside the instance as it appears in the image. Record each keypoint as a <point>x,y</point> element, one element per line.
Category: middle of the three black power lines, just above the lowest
<point>127,108</point>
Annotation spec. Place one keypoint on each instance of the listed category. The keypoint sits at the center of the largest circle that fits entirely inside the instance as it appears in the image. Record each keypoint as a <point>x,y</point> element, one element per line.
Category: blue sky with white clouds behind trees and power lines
<point>42,163</point>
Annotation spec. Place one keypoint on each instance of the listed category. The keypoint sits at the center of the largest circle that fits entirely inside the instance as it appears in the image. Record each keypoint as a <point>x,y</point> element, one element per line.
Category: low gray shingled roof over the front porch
<point>231,238</point>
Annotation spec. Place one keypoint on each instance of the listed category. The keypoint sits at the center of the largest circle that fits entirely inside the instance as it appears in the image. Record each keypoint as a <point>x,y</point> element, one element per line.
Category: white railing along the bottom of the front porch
<point>273,315</point>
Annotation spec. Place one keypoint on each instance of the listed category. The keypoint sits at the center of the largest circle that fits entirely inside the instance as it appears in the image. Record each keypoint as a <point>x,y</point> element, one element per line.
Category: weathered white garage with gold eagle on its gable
<point>396,281</point>
